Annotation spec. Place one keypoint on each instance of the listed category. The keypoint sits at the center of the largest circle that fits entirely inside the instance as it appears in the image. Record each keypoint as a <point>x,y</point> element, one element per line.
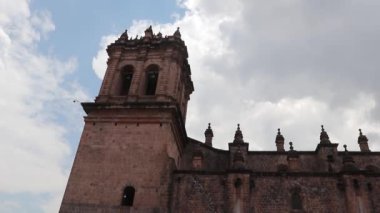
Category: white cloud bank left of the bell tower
<point>35,103</point>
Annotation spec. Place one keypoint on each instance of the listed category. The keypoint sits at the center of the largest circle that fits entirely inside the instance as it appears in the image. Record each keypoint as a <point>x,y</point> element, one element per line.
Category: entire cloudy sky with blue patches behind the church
<point>265,64</point>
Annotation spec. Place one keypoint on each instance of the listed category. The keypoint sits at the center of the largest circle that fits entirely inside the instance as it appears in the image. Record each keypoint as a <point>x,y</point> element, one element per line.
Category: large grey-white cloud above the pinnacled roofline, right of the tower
<point>288,64</point>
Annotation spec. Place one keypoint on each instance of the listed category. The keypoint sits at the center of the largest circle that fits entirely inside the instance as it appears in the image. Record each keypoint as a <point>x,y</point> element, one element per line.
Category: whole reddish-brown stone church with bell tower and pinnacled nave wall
<point>134,153</point>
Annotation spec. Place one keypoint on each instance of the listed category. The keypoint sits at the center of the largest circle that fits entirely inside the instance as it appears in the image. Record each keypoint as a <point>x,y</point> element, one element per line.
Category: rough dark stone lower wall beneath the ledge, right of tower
<point>219,192</point>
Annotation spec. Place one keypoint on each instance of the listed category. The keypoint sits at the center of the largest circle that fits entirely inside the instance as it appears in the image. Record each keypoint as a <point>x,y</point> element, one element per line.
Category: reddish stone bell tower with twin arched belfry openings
<point>134,133</point>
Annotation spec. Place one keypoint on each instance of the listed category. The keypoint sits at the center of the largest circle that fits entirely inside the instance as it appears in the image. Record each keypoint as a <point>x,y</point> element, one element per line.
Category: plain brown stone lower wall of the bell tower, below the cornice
<point>118,153</point>
